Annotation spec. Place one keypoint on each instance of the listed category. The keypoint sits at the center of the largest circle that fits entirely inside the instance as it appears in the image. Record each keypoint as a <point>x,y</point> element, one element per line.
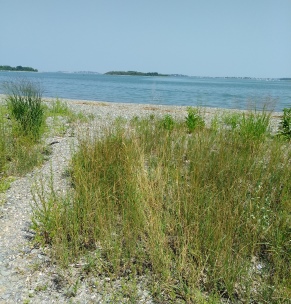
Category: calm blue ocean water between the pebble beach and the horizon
<point>173,90</point>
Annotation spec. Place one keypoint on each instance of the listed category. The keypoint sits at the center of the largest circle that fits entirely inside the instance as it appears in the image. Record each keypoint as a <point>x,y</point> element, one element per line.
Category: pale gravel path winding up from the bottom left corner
<point>27,274</point>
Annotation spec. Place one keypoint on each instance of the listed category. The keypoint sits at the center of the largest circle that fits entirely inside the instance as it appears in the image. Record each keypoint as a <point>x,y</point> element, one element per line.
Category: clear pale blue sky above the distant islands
<point>217,38</point>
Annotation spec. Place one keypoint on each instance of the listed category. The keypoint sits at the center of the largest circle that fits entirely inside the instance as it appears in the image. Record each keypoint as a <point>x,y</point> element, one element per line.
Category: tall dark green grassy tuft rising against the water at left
<point>24,101</point>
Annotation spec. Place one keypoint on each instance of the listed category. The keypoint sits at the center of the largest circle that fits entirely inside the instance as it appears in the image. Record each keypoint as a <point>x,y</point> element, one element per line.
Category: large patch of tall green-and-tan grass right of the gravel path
<point>203,215</point>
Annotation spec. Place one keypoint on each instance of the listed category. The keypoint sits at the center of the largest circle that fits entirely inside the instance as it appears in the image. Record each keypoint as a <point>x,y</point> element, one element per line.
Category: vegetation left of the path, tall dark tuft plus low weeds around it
<point>23,128</point>
